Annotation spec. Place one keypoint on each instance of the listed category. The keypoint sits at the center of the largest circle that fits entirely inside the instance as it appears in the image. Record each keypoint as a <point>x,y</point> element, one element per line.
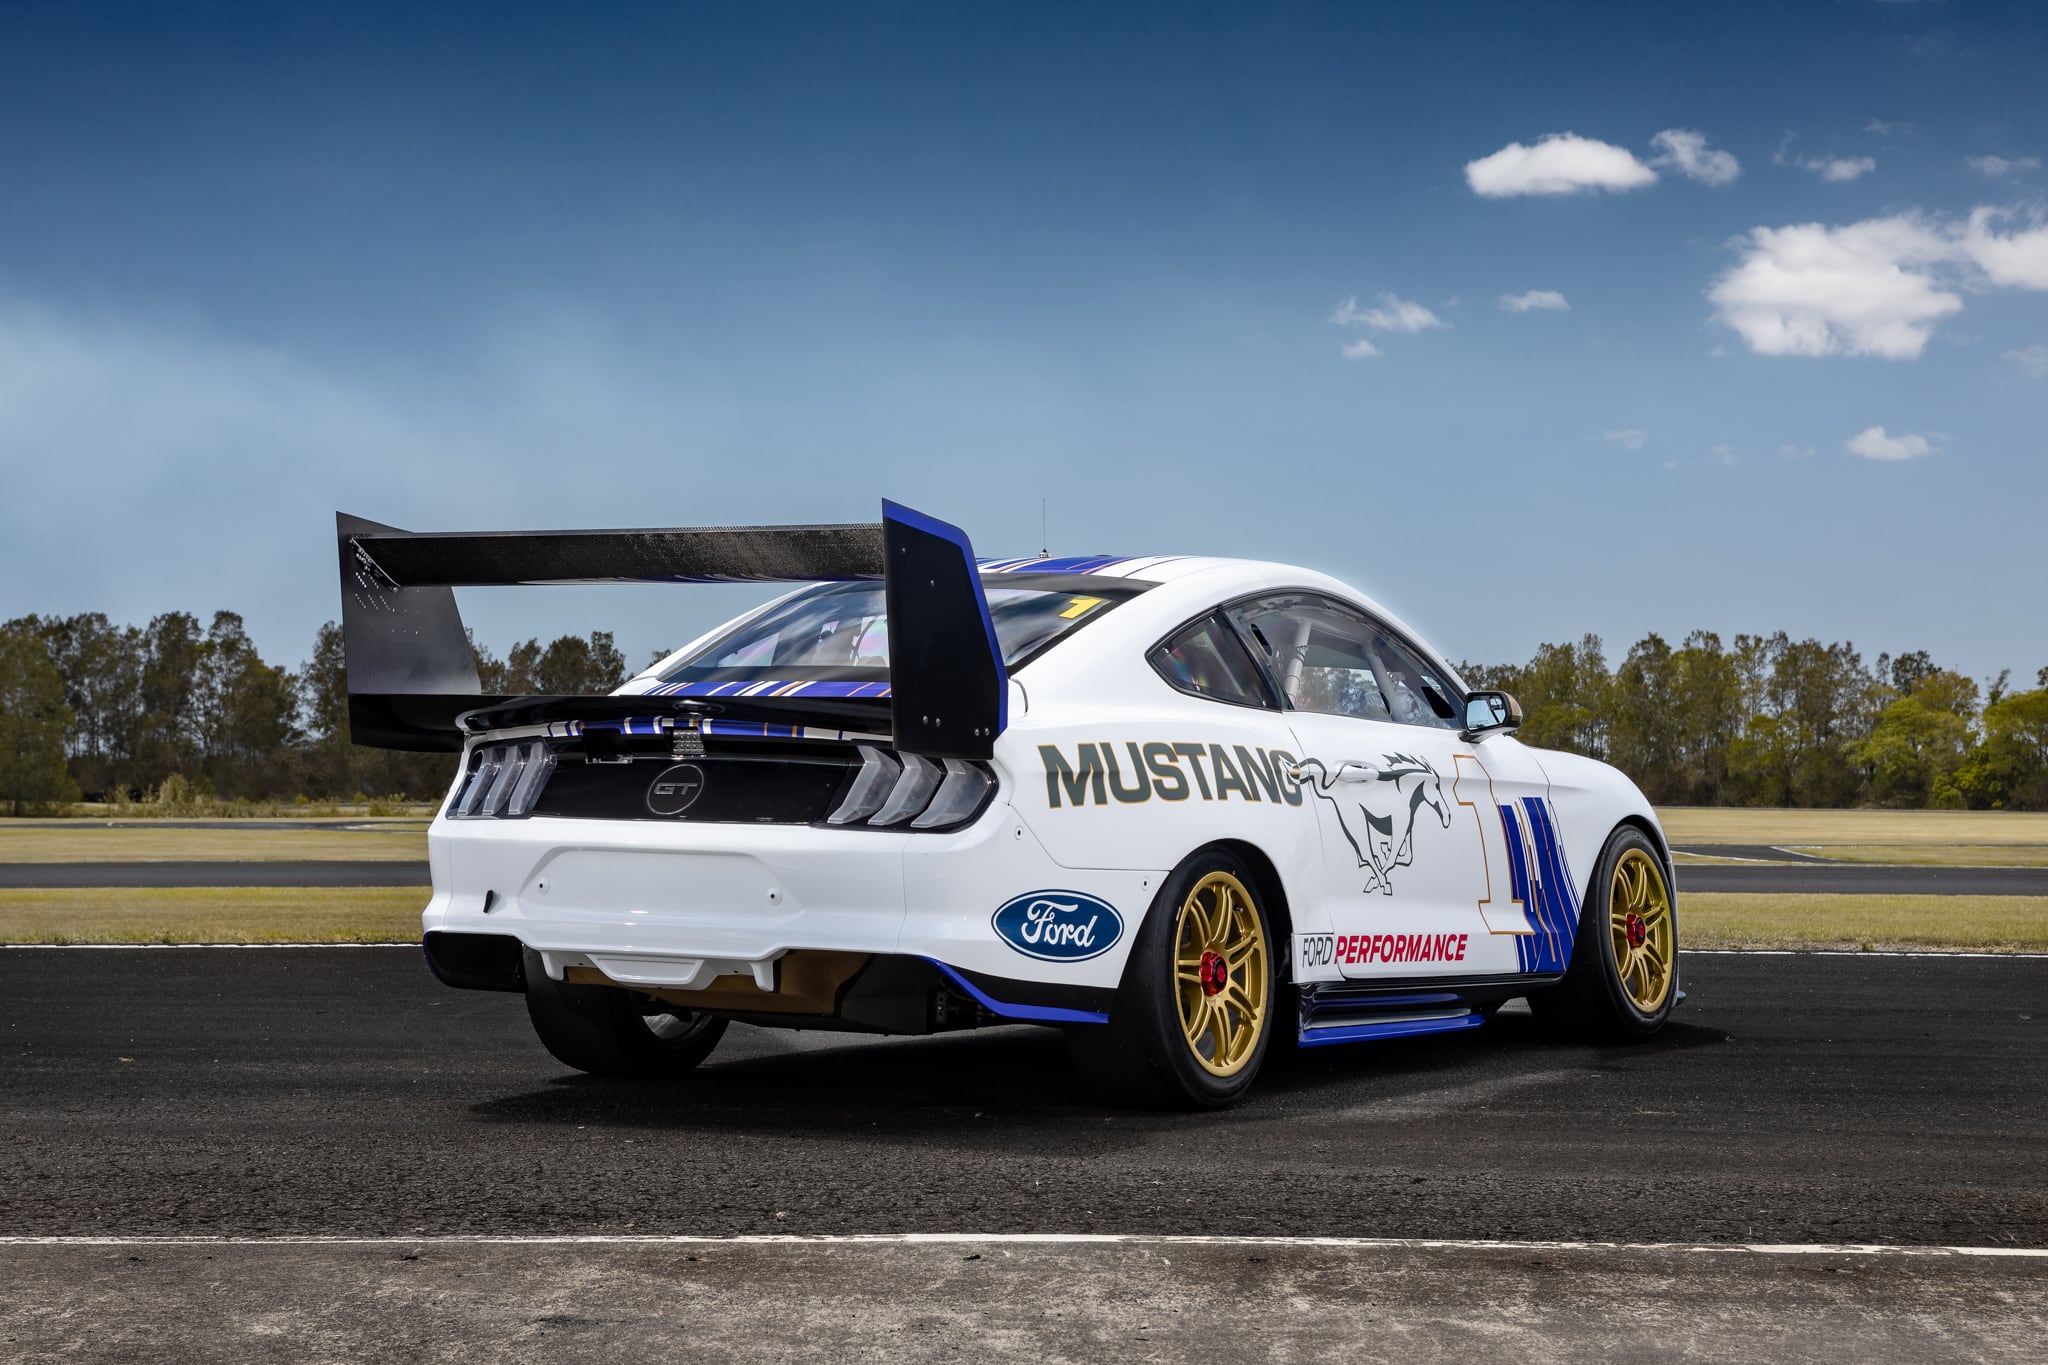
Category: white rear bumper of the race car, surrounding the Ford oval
<point>685,906</point>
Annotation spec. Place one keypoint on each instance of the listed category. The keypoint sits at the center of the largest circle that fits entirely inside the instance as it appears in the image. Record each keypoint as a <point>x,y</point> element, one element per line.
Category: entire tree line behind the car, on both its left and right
<point>118,713</point>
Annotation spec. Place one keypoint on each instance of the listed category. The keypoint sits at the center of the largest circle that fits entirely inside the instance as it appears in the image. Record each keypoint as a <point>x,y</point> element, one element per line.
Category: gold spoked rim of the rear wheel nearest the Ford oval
<point>1222,977</point>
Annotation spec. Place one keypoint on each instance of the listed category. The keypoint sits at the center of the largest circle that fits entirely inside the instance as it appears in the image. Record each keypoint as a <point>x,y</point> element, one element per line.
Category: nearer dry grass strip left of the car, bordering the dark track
<point>214,916</point>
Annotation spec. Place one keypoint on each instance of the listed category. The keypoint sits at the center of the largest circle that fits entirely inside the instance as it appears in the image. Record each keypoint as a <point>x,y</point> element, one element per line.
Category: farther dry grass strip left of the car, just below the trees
<point>77,842</point>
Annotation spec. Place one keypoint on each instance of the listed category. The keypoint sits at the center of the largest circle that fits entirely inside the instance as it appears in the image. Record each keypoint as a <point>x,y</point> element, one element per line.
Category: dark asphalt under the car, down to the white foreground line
<point>343,1092</point>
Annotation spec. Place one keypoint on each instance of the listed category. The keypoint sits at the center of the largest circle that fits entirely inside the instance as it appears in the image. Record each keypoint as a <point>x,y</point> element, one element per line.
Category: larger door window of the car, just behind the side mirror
<point>1332,660</point>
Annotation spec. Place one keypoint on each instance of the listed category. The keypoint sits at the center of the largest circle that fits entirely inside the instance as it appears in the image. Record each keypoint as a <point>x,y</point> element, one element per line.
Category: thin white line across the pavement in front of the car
<point>1046,1239</point>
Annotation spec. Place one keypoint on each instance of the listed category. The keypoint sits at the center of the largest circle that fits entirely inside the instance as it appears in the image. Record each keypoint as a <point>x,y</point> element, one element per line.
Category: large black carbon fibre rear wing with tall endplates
<point>413,676</point>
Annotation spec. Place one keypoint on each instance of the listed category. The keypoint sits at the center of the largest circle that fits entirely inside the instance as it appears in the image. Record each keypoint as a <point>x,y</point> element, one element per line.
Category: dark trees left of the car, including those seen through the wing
<point>93,711</point>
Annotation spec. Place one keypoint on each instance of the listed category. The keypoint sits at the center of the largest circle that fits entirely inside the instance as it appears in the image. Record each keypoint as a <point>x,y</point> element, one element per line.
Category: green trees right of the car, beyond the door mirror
<point>1770,721</point>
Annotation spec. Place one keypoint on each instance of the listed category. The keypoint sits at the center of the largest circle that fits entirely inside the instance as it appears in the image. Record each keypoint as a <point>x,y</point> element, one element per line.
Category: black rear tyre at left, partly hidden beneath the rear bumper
<point>615,1032</point>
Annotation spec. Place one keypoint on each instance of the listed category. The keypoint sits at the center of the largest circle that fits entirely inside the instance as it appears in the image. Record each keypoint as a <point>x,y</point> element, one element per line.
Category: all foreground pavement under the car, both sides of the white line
<point>341,1094</point>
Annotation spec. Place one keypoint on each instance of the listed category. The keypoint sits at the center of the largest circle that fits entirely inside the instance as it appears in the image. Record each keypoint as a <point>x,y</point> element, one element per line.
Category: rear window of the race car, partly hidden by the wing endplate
<point>841,631</point>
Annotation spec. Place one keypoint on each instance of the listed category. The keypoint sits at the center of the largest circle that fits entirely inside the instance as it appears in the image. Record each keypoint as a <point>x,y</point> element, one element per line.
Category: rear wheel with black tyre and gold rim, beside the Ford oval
<point>1197,1008</point>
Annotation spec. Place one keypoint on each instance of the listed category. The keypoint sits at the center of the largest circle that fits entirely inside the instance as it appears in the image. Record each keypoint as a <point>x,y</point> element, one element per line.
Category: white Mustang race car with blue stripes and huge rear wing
<point>1187,809</point>
